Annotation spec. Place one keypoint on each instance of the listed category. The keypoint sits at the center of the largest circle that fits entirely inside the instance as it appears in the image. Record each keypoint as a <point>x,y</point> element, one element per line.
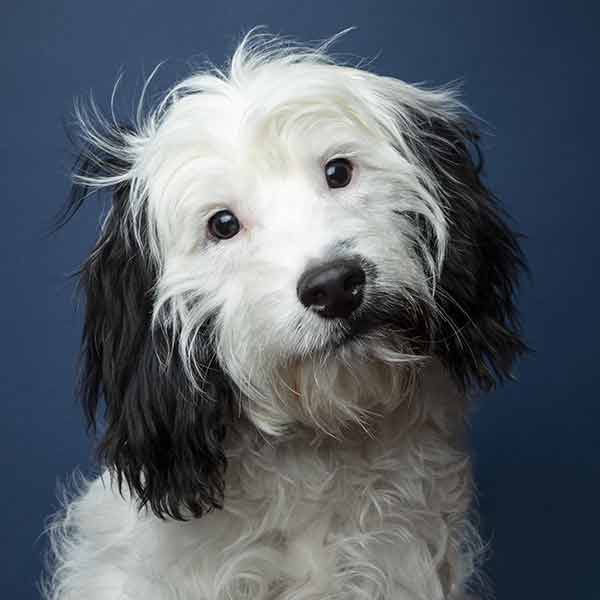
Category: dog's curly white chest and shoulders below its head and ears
<point>381,515</point>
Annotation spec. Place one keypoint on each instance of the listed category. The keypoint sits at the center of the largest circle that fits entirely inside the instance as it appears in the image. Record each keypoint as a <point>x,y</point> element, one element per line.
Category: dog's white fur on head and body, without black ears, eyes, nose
<point>347,478</point>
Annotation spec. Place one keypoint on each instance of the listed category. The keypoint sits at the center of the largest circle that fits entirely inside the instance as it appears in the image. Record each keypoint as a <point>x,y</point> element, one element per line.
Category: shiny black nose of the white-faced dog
<point>333,290</point>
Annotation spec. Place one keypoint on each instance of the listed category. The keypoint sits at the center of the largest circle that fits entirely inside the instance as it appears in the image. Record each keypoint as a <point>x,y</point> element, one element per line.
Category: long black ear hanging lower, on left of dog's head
<point>163,437</point>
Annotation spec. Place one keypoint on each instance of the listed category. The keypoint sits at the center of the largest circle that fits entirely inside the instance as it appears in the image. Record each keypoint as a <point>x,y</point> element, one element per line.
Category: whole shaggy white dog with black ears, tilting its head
<point>300,282</point>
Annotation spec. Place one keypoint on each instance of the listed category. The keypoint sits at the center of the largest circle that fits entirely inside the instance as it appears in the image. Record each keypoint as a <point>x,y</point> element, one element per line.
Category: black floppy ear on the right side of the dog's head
<point>478,335</point>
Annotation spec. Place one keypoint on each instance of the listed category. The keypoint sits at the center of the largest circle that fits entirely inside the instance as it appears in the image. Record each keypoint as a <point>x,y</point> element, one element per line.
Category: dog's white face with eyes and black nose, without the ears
<point>282,212</point>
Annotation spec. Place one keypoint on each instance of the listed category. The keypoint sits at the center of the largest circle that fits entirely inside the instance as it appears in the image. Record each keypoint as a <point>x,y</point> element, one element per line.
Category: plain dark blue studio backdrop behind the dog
<point>530,69</point>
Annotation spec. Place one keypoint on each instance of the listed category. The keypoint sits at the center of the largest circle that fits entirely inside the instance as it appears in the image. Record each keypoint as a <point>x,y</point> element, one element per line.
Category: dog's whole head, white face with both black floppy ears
<point>269,228</point>
